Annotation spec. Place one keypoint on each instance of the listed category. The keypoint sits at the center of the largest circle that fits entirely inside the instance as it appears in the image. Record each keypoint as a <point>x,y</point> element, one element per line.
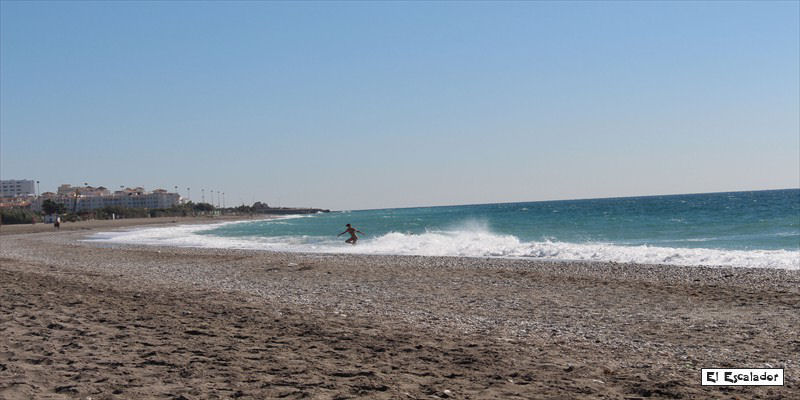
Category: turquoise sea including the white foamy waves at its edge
<point>757,229</point>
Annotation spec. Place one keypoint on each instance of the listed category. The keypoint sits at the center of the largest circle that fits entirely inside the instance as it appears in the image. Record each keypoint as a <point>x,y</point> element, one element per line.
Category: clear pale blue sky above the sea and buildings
<point>388,104</point>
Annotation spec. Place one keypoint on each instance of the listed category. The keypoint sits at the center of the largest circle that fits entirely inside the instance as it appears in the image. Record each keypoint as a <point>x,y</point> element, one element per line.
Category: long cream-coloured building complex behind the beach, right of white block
<point>88,198</point>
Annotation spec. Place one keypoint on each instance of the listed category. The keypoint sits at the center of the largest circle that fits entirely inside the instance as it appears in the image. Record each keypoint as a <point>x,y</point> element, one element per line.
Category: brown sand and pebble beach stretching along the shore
<point>79,320</point>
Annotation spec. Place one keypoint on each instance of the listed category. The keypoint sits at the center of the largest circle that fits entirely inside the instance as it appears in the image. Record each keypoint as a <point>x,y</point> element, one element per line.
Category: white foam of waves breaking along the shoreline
<point>475,241</point>
